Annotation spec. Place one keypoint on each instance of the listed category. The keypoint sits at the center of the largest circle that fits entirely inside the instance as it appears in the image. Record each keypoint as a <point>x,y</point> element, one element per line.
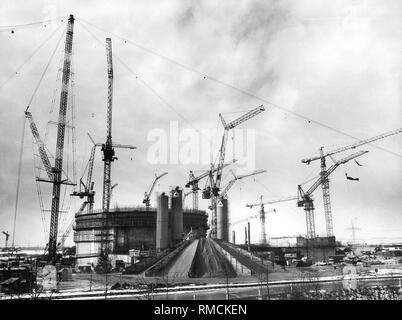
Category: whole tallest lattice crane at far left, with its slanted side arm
<point>55,173</point>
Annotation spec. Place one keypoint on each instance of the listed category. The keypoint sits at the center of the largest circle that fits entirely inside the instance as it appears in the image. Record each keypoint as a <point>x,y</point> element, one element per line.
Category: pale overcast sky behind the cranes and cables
<point>335,62</point>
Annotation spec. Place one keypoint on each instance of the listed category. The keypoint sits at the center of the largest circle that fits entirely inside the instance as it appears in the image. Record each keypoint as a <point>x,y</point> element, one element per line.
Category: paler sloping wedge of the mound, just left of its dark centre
<point>181,265</point>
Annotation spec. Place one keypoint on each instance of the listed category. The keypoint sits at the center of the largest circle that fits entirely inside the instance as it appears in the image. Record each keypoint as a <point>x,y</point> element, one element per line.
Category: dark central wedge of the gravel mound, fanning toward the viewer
<point>210,262</point>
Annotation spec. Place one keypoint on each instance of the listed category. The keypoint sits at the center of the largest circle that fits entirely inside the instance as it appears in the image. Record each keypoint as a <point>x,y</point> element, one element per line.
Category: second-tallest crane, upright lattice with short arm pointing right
<point>108,146</point>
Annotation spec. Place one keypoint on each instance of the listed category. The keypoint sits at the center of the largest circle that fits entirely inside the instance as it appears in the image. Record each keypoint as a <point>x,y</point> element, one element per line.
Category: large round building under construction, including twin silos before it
<point>134,228</point>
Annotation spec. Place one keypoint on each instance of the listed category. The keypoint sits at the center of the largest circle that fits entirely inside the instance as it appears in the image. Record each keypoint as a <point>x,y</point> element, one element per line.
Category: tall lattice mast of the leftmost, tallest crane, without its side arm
<point>57,170</point>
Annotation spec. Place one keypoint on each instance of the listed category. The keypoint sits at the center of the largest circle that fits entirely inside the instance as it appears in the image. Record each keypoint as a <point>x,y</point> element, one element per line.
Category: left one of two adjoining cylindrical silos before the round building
<point>162,220</point>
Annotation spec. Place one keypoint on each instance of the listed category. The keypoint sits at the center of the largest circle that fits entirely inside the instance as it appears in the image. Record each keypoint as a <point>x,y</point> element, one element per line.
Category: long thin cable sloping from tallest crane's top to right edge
<point>252,95</point>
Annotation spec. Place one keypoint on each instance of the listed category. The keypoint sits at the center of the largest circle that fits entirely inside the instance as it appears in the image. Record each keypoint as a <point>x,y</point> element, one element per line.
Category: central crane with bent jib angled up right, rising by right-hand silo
<point>215,182</point>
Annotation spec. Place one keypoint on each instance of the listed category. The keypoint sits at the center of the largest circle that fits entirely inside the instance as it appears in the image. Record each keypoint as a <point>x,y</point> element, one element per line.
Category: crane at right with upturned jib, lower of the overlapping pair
<point>305,198</point>
